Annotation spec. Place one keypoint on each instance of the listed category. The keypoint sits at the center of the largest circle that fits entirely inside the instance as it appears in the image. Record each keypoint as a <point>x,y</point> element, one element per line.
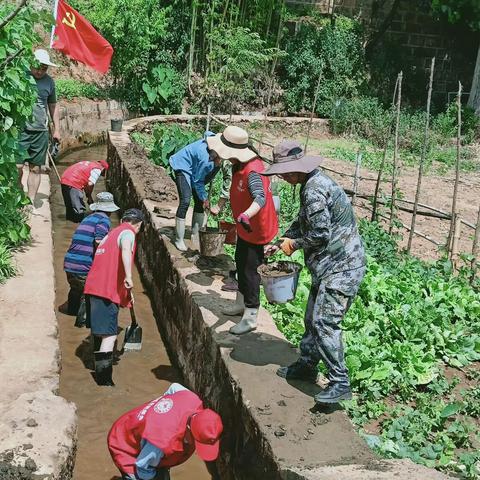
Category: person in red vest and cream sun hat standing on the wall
<point>254,211</point>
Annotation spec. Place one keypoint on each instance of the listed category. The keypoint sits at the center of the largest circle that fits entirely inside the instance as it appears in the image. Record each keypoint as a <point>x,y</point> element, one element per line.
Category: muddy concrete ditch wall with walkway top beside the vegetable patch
<point>271,431</point>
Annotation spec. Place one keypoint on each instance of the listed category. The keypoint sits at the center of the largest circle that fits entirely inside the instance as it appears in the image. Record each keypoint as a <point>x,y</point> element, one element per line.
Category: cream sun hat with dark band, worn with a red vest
<point>232,143</point>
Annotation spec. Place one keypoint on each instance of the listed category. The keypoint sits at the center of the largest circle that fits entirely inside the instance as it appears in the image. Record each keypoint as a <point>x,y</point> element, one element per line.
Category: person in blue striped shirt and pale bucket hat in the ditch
<point>79,256</point>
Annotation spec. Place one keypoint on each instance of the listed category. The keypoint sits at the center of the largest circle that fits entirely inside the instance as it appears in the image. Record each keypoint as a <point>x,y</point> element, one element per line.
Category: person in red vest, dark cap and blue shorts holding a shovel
<point>108,287</point>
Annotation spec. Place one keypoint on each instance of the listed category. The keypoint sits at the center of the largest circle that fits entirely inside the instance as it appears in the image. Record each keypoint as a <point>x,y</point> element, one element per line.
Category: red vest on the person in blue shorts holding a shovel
<point>107,275</point>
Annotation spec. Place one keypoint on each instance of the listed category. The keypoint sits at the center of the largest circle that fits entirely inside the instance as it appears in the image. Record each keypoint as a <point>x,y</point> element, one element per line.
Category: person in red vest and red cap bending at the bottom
<point>147,441</point>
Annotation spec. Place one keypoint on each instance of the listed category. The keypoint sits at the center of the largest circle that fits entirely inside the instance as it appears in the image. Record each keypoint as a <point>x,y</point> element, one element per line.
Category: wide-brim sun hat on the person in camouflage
<point>289,157</point>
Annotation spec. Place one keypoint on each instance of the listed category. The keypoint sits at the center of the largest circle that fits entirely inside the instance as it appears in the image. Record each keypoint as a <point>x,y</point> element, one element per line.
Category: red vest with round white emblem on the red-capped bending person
<point>162,422</point>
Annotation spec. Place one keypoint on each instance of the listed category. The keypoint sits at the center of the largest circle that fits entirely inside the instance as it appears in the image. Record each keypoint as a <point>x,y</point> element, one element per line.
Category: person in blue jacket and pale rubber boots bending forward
<point>194,166</point>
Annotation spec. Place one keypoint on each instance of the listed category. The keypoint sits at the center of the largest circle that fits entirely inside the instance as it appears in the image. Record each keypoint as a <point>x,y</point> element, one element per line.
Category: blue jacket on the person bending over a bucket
<point>194,161</point>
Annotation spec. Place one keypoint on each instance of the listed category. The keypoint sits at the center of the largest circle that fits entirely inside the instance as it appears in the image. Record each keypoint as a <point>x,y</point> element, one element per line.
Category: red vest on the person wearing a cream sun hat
<point>265,222</point>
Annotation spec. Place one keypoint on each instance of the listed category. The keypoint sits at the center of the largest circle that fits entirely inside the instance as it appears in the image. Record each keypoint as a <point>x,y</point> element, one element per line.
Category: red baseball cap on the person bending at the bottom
<point>206,427</point>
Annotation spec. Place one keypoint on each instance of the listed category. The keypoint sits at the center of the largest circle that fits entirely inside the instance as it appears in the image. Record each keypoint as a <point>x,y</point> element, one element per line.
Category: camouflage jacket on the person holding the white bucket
<point>326,228</point>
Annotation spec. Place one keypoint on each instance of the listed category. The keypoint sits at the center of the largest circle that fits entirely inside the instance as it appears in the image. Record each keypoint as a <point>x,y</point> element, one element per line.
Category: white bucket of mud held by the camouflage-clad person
<point>280,280</point>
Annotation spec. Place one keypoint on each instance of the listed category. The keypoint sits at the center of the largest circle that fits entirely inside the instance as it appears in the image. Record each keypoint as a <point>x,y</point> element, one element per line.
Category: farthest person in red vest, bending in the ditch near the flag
<point>78,178</point>
